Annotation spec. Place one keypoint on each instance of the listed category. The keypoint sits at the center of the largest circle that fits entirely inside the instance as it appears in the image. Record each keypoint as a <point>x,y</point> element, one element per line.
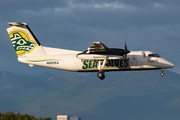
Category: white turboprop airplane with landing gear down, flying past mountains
<point>97,58</point>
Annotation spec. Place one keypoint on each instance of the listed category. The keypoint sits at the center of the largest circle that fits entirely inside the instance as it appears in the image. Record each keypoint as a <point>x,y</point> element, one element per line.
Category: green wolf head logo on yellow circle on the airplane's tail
<point>21,42</point>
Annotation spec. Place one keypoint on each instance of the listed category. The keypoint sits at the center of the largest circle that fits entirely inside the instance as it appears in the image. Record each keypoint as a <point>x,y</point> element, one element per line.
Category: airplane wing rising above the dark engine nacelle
<point>97,47</point>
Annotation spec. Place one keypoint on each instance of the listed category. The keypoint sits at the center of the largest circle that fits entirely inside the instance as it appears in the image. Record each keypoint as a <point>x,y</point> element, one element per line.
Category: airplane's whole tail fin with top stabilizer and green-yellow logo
<point>24,41</point>
